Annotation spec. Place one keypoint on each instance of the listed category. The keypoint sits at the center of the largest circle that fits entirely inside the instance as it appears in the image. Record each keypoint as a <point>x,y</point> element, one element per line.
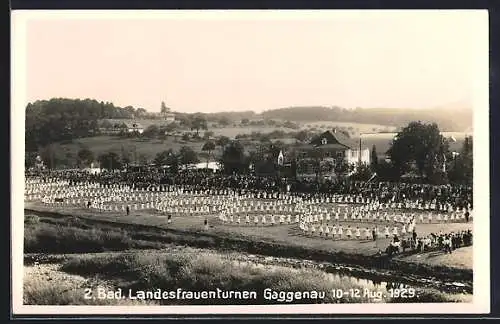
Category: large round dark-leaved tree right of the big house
<point>419,144</point>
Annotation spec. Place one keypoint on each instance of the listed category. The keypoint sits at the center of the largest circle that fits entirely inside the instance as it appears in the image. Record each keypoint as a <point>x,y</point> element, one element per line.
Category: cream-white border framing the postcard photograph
<point>481,247</point>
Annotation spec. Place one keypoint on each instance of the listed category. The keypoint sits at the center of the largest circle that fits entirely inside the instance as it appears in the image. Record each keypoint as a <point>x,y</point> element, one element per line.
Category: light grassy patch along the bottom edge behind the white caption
<point>190,271</point>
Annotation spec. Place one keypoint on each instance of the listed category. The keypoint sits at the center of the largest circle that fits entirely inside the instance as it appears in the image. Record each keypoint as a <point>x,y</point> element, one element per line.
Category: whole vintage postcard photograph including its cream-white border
<point>256,162</point>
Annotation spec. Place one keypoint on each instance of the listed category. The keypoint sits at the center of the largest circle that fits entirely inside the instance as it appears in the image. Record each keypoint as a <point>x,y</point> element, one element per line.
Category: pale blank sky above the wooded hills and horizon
<point>234,61</point>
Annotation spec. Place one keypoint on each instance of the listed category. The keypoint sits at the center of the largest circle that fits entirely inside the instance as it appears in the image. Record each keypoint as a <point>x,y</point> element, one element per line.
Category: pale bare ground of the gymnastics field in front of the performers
<point>283,235</point>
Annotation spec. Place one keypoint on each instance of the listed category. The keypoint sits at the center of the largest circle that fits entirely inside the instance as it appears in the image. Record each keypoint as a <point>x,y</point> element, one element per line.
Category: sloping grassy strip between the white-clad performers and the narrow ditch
<point>114,233</point>
